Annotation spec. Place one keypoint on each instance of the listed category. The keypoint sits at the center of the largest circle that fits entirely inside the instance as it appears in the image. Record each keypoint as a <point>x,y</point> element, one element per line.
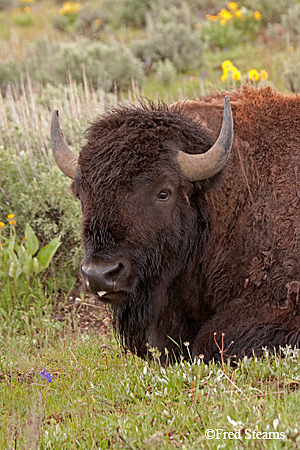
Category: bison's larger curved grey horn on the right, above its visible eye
<point>205,165</point>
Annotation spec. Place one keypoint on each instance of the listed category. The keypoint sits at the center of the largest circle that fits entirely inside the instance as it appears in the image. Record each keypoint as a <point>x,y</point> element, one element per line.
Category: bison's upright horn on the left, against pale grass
<point>64,157</point>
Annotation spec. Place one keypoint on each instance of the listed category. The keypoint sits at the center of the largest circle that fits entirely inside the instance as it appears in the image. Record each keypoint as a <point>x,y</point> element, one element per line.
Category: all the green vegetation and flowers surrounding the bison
<point>83,58</point>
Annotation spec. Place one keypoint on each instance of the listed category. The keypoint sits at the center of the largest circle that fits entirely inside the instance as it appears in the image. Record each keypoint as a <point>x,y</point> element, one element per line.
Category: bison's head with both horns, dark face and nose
<point>134,177</point>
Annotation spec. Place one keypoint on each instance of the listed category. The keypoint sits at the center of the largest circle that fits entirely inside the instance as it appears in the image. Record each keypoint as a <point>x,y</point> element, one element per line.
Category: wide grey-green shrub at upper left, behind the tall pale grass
<point>105,66</point>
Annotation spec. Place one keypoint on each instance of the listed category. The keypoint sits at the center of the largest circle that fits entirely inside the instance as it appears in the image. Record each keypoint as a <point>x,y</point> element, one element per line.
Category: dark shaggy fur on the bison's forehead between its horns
<point>132,140</point>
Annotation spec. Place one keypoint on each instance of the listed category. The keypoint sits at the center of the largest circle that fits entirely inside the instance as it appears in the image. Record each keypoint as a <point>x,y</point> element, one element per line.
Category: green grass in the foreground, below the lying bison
<point>102,398</point>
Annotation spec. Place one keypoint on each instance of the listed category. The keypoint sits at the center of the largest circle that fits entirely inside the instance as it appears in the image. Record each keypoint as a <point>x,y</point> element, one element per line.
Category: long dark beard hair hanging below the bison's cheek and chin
<point>167,275</point>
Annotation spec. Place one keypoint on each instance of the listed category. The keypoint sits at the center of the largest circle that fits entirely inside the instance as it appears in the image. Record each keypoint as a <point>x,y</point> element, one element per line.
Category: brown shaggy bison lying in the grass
<point>185,243</point>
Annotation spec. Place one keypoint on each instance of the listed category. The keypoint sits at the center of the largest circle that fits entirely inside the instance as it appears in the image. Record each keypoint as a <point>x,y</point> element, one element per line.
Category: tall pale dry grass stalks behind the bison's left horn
<point>25,114</point>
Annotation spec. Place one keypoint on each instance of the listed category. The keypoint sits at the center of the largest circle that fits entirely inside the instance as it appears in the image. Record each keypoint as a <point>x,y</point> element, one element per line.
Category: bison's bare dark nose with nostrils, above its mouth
<point>101,277</point>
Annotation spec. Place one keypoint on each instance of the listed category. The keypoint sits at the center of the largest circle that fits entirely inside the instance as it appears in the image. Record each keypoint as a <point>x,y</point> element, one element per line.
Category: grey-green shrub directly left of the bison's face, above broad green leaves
<point>40,195</point>
